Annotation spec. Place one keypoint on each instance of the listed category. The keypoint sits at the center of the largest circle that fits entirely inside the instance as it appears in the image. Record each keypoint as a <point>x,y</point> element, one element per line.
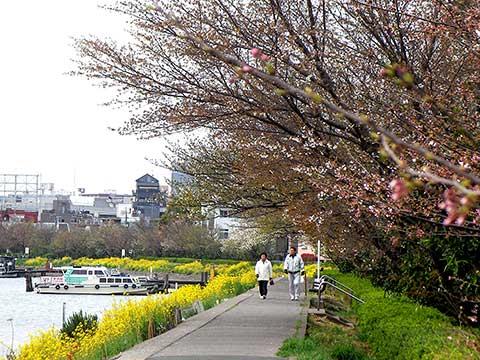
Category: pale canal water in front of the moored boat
<point>32,312</point>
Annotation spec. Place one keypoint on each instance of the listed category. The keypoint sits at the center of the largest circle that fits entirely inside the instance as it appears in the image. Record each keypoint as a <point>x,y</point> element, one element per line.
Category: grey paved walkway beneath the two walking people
<point>244,327</point>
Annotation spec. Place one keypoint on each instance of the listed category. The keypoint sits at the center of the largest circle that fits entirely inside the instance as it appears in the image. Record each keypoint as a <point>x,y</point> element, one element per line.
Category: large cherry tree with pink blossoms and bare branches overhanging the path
<point>361,117</point>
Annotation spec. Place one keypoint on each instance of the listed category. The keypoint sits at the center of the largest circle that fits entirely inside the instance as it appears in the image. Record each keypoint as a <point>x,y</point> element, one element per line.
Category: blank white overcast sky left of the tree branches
<point>52,123</point>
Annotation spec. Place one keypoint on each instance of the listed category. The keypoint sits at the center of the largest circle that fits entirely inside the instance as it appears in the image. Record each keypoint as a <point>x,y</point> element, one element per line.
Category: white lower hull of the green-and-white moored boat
<point>91,290</point>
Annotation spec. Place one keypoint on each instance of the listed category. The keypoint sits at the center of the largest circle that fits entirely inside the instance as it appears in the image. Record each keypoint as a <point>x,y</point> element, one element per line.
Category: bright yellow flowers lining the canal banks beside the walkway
<point>130,322</point>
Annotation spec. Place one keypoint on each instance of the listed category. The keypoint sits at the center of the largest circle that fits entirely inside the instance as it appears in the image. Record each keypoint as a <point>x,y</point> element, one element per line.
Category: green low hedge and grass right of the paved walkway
<point>389,327</point>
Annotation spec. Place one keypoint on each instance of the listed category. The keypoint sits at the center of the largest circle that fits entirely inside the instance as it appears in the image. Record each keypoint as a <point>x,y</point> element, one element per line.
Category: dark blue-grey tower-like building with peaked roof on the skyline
<point>150,198</point>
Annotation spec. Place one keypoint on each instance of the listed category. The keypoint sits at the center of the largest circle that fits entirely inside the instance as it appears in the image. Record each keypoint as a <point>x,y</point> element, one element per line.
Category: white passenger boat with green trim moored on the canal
<point>90,280</point>
